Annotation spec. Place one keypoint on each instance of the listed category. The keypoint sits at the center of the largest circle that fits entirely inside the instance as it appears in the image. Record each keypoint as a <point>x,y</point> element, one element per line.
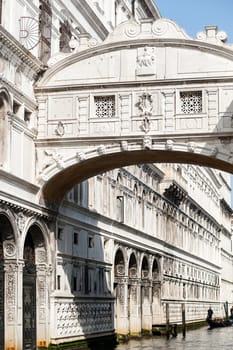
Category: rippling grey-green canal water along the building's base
<point>201,339</point>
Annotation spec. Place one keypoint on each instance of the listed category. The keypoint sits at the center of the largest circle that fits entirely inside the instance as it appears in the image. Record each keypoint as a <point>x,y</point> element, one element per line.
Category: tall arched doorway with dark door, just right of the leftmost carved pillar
<point>35,316</point>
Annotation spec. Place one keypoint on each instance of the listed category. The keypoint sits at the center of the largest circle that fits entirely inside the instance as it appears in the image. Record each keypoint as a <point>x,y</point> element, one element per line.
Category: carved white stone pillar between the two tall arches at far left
<point>13,287</point>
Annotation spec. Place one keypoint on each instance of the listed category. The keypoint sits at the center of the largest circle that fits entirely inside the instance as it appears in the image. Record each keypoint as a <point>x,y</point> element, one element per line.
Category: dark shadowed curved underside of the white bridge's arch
<point>55,188</point>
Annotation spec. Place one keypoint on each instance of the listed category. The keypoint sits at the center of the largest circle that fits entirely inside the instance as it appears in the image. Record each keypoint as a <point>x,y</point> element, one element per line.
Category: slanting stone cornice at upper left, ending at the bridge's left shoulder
<point>13,45</point>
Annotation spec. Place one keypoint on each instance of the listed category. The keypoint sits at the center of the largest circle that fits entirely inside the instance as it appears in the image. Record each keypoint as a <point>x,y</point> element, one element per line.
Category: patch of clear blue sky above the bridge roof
<point>194,15</point>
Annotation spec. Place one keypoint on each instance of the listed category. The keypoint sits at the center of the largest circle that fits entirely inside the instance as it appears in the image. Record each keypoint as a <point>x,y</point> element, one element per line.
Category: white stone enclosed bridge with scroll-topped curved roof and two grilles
<point>148,93</point>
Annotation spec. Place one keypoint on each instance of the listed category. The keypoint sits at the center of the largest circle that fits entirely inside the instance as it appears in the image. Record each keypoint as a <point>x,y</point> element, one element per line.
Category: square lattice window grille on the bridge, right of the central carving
<point>191,102</point>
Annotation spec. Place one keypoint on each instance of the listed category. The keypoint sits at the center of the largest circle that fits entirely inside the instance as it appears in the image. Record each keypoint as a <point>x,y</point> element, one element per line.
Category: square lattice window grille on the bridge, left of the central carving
<point>105,106</point>
